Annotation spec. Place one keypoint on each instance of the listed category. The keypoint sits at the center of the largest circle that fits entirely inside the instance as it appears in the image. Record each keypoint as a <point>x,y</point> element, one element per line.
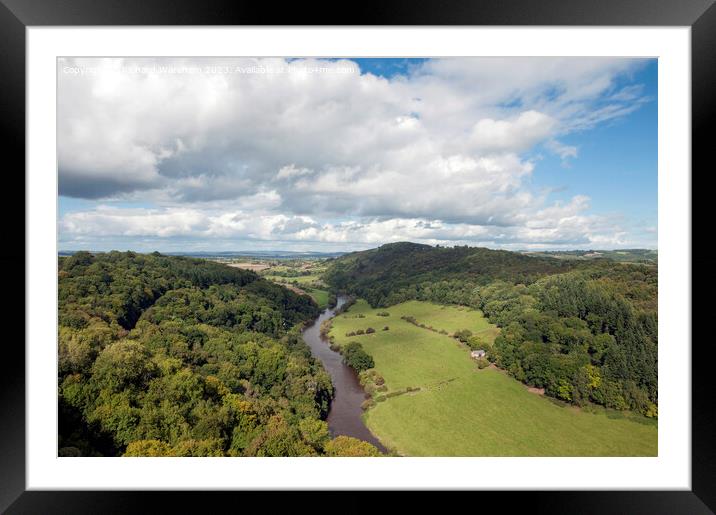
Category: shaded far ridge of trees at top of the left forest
<point>120,286</point>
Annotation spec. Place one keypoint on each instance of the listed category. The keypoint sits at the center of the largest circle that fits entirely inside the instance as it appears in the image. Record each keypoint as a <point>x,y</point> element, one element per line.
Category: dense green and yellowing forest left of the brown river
<point>173,356</point>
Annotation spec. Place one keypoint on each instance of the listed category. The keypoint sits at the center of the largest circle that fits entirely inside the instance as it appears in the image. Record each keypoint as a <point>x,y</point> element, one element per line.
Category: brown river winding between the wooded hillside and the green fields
<point>344,417</point>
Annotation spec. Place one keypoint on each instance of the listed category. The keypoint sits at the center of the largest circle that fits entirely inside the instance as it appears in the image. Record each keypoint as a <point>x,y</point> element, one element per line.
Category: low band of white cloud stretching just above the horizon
<point>558,225</point>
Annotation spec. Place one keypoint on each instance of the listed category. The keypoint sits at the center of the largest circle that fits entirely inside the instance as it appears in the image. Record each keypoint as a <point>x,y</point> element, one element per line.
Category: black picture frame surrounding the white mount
<point>17,15</point>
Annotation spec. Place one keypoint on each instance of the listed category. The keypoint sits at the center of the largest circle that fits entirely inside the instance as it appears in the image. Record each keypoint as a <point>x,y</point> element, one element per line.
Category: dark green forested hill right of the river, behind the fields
<point>585,331</point>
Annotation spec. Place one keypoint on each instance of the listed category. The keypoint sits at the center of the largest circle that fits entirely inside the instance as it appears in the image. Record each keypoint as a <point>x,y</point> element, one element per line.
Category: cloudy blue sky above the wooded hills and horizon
<point>231,154</point>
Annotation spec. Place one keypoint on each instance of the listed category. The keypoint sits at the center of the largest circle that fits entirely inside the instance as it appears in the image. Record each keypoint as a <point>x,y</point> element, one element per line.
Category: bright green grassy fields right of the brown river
<point>463,411</point>
